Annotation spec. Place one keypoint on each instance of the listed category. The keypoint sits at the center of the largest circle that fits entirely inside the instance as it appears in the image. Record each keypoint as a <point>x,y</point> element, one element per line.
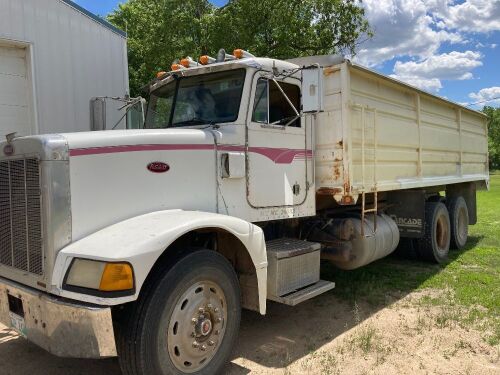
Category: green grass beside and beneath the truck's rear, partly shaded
<point>470,280</point>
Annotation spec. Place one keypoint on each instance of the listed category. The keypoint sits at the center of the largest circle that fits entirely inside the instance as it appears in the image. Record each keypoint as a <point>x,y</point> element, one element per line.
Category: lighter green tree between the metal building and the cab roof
<point>160,31</point>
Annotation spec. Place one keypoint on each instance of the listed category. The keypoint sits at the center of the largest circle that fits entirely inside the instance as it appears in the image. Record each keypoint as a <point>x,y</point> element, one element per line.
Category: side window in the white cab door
<point>271,106</point>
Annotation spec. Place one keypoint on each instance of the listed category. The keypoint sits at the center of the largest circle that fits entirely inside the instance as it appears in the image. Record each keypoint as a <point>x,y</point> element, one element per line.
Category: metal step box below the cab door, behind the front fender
<point>292,265</point>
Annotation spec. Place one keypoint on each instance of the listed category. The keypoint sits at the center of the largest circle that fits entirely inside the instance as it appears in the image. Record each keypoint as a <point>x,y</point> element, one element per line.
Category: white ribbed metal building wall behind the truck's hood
<point>71,58</point>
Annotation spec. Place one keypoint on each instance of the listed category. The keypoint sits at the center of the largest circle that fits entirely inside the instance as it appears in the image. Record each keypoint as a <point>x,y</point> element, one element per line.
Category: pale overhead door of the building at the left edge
<point>15,115</point>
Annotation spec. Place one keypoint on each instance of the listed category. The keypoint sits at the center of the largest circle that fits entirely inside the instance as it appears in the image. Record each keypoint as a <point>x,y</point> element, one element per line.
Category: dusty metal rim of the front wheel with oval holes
<point>197,326</point>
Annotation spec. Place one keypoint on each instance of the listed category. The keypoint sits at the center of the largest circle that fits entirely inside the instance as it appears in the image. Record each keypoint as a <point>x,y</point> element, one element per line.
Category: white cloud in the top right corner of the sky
<point>476,16</point>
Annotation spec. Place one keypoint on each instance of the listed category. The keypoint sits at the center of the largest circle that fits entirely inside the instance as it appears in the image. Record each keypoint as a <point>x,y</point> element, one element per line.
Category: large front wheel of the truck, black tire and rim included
<point>188,323</point>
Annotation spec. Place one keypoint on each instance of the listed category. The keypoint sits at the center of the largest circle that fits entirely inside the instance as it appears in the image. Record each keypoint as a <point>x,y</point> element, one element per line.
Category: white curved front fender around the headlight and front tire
<point>142,239</point>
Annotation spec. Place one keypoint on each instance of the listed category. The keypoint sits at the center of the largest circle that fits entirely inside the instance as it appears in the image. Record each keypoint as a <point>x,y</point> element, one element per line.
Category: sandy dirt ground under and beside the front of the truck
<point>322,336</point>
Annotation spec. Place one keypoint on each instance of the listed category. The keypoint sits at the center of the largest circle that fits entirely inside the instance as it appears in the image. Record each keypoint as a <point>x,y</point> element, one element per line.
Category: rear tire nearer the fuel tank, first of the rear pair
<point>435,244</point>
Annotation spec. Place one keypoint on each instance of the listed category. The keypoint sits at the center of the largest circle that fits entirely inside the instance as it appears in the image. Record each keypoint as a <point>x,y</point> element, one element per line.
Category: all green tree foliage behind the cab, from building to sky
<point>160,31</point>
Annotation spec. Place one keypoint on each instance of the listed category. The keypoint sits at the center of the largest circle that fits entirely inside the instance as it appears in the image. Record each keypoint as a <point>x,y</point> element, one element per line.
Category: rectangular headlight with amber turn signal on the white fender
<point>100,276</point>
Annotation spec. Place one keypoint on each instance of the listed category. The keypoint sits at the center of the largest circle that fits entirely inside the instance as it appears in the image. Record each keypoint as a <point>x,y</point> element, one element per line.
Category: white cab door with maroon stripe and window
<point>276,145</point>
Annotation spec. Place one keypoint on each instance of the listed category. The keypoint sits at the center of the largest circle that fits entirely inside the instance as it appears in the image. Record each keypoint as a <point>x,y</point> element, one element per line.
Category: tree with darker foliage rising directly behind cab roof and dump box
<point>291,28</point>
